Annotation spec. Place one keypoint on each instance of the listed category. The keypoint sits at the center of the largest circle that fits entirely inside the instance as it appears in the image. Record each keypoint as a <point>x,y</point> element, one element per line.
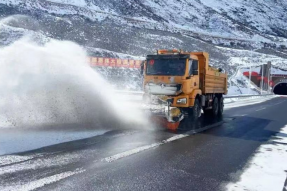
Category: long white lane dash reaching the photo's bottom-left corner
<point>41,182</point>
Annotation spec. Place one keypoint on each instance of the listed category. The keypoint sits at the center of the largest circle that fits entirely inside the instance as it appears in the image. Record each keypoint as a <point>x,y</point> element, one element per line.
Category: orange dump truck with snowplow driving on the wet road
<point>186,83</point>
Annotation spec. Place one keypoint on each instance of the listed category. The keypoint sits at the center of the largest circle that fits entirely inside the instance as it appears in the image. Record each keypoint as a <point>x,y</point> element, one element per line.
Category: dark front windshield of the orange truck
<point>166,67</point>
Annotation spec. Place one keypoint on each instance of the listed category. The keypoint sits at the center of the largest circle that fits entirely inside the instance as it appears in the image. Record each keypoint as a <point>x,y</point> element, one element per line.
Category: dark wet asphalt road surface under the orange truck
<point>207,160</point>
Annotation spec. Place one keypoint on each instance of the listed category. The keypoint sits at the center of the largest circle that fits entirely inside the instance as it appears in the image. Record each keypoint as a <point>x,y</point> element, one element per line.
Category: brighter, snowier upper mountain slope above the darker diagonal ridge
<point>252,20</point>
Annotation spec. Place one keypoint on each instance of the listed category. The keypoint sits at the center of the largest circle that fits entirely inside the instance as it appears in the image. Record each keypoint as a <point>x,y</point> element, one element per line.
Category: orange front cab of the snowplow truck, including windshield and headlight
<point>174,75</point>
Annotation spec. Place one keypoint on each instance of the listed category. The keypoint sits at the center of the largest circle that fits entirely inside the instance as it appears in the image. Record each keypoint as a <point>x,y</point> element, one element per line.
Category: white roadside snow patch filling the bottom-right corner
<point>267,169</point>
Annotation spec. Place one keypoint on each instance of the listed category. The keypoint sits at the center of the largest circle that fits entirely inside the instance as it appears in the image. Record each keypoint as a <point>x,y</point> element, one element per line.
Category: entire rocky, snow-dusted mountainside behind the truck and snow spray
<point>233,32</point>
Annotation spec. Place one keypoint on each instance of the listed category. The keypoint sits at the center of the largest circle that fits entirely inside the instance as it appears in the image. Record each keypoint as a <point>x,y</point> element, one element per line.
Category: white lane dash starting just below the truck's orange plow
<point>143,148</point>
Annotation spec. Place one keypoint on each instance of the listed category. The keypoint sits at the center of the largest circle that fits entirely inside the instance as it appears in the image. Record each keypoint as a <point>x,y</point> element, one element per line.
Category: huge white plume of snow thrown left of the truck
<point>53,84</point>
